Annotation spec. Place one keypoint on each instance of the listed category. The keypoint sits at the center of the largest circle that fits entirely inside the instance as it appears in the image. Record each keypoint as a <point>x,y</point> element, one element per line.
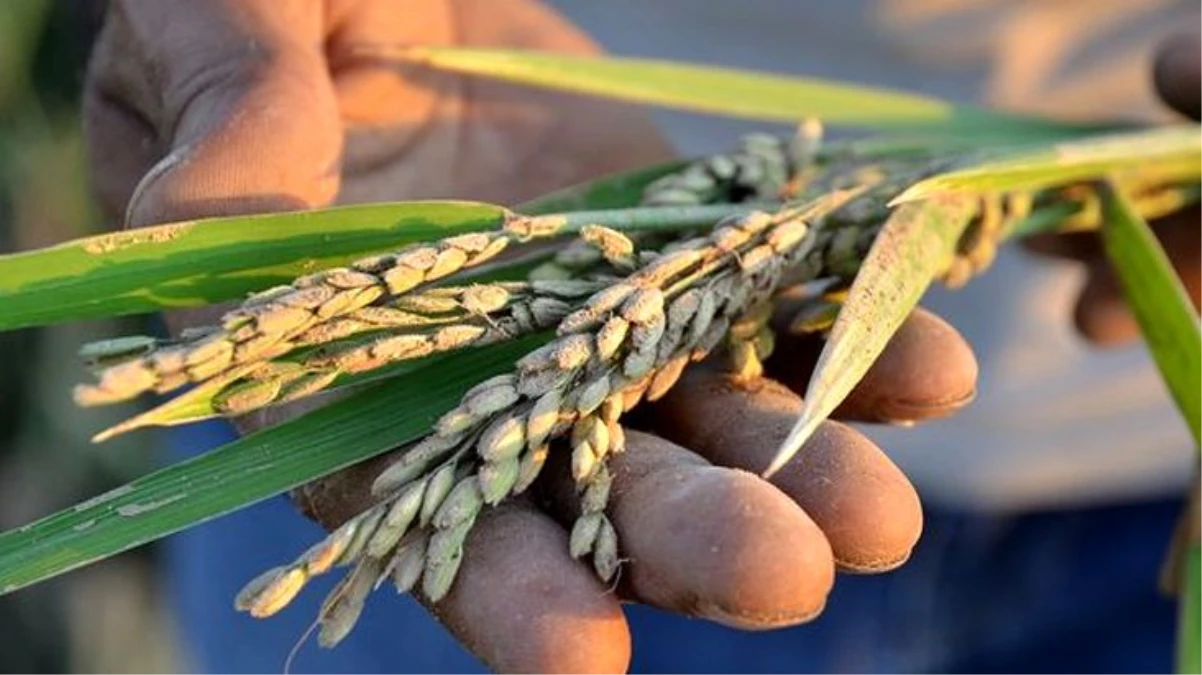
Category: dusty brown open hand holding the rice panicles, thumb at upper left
<point>218,107</point>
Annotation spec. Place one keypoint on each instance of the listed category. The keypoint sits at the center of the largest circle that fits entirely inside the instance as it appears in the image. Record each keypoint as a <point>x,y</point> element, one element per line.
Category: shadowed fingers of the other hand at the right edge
<point>1102,314</point>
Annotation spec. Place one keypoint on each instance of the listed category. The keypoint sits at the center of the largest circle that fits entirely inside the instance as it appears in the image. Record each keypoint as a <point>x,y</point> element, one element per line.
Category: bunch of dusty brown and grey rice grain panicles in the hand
<point>632,307</point>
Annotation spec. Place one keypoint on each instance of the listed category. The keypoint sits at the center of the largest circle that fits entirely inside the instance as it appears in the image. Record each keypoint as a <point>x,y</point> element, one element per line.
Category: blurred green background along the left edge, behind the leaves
<point>109,618</point>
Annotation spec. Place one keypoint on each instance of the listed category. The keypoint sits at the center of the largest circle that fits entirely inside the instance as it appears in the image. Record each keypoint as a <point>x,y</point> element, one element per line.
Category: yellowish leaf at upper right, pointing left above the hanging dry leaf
<point>1151,157</point>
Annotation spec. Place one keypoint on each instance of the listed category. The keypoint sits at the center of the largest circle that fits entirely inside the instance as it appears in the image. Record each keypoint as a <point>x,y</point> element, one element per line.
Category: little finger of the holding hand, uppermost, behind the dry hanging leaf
<point>926,372</point>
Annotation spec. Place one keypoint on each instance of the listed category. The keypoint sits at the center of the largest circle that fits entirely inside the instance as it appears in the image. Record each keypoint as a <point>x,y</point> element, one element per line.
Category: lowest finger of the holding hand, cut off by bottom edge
<point>520,602</point>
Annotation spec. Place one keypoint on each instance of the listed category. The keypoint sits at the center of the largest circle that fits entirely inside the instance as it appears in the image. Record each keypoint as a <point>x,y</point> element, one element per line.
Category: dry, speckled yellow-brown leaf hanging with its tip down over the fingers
<point>915,246</point>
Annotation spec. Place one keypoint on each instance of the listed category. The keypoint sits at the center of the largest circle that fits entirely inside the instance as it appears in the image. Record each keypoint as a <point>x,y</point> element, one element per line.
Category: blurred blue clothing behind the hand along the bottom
<point>1070,592</point>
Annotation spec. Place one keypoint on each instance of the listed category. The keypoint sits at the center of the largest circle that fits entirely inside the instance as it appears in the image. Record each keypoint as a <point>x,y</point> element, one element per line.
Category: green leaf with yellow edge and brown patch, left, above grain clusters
<point>201,262</point>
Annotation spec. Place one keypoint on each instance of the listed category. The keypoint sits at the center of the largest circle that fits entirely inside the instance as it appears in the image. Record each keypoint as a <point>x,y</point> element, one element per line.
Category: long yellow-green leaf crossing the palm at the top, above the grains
<point>730,92</point>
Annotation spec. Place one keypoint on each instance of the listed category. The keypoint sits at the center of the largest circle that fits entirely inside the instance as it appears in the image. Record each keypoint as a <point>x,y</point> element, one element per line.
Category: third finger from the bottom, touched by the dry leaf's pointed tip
<point>867,509</point>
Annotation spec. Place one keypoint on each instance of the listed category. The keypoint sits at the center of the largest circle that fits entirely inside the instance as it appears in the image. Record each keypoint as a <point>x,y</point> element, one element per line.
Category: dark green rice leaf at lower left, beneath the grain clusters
<point>249,470</point>
